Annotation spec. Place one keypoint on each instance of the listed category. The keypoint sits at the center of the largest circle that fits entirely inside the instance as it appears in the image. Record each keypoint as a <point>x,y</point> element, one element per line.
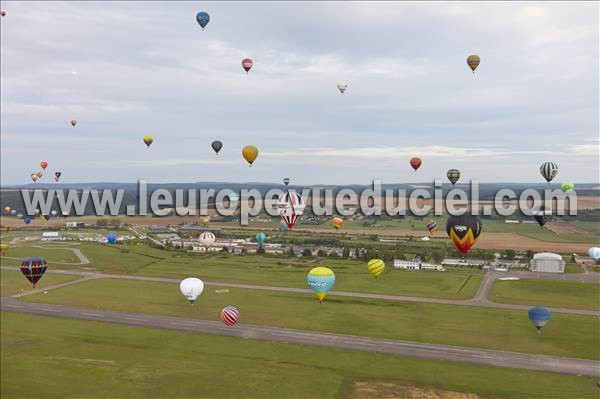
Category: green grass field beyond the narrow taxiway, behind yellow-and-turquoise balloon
<point>280,271</point>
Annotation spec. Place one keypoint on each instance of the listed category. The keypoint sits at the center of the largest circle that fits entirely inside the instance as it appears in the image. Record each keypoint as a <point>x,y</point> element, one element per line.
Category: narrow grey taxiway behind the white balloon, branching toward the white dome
<point>476,301</point>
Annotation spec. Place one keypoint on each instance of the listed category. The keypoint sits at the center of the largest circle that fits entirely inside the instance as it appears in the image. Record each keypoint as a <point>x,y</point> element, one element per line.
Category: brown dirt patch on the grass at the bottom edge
<point>398,390</point>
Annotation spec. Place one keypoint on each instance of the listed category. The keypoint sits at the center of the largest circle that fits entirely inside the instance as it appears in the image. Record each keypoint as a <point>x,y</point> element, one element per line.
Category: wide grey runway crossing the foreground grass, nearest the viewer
<point>387,346</point>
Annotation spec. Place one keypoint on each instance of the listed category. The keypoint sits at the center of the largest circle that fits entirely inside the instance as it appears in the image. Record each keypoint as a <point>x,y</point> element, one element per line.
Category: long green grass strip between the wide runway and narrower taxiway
<point>433,323</point>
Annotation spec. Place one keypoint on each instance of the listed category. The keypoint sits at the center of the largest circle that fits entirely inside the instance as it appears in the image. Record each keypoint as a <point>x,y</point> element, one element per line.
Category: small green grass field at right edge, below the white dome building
<point>567,294</point>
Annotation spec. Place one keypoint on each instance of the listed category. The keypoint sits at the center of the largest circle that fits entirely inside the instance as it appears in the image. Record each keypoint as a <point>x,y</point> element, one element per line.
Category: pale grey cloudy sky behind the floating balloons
<point>127,69</point>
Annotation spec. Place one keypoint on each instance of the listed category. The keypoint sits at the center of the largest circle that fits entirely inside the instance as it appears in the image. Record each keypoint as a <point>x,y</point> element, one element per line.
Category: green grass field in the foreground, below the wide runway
<point>68,358</point>
